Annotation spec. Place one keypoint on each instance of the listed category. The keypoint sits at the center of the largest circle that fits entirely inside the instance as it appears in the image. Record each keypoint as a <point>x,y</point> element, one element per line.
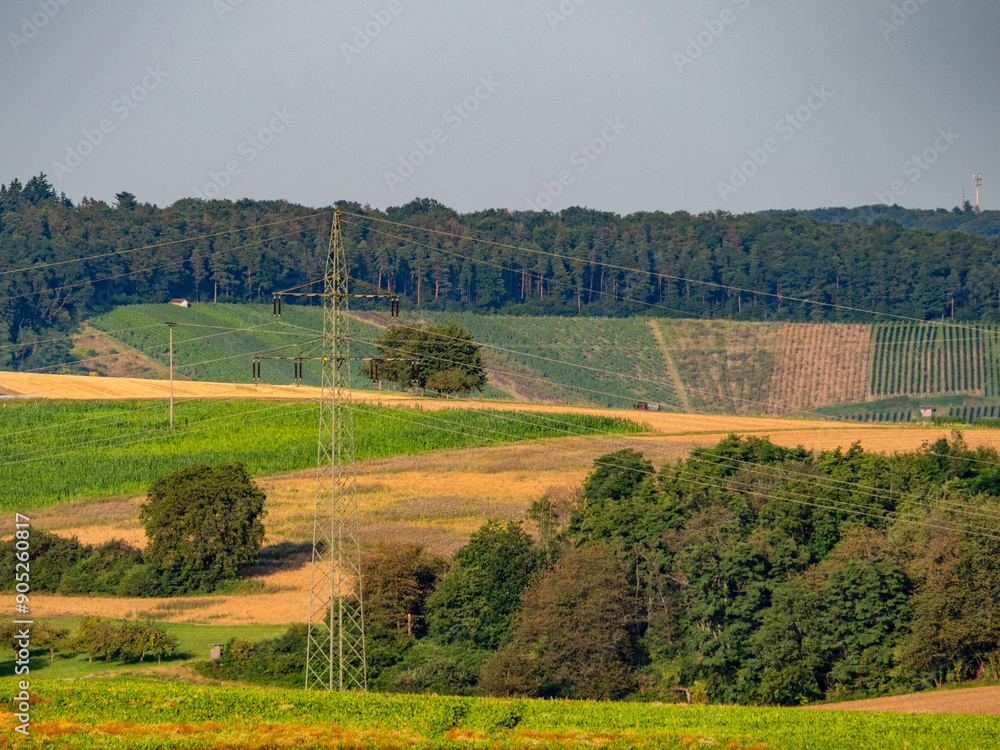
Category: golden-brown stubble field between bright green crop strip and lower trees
<point>436,500</point>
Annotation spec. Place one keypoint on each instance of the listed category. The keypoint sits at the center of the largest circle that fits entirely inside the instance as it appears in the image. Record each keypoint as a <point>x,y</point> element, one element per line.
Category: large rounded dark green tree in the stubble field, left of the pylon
<point>204,520</point>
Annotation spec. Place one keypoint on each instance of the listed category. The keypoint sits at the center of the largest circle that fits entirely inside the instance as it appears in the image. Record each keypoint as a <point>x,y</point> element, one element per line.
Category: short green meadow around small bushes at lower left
<point>194,641</point>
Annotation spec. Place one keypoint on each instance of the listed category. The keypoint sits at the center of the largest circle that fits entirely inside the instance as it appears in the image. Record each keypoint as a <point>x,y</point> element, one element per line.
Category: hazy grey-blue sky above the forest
<point>737,105</point>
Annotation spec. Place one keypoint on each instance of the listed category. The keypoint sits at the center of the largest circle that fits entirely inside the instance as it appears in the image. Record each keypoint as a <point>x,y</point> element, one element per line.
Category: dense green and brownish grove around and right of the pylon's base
<point>745,573</point>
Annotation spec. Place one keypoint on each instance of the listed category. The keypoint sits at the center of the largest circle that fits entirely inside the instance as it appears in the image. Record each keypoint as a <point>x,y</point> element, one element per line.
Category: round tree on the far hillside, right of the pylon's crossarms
<point>447,358</point>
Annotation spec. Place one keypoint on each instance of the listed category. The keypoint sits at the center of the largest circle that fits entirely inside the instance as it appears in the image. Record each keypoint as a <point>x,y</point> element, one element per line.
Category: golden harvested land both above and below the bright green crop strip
<point>436,500</point>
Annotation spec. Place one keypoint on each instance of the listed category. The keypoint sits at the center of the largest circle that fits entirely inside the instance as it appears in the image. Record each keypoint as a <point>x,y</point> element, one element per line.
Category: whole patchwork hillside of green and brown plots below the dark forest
<point>864,372</point>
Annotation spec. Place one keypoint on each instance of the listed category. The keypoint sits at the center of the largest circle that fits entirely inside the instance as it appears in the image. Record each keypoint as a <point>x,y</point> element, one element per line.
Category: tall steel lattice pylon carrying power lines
<point>335,650</point>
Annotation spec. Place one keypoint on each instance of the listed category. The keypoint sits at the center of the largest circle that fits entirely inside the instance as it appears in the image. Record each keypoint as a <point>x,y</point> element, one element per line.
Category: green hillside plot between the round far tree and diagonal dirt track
<point>609,362</point>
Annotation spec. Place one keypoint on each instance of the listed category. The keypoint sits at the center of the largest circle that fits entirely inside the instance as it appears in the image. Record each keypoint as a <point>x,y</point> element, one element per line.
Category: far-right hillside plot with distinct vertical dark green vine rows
<point>915,358</point>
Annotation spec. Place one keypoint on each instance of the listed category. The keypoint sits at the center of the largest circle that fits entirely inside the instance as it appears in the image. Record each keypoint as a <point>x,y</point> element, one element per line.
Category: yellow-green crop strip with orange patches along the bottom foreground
<point>149,713</point>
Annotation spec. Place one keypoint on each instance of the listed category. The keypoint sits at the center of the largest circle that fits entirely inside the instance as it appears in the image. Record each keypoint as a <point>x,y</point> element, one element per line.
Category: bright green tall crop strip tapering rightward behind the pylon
<point>57,451</point>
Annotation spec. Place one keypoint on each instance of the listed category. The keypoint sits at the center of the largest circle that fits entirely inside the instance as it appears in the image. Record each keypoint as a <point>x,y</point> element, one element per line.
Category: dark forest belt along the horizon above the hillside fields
<point>597,263</point>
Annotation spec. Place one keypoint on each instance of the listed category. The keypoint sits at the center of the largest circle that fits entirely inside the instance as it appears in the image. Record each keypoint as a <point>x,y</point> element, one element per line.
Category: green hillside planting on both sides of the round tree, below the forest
<point>571,359</point>
